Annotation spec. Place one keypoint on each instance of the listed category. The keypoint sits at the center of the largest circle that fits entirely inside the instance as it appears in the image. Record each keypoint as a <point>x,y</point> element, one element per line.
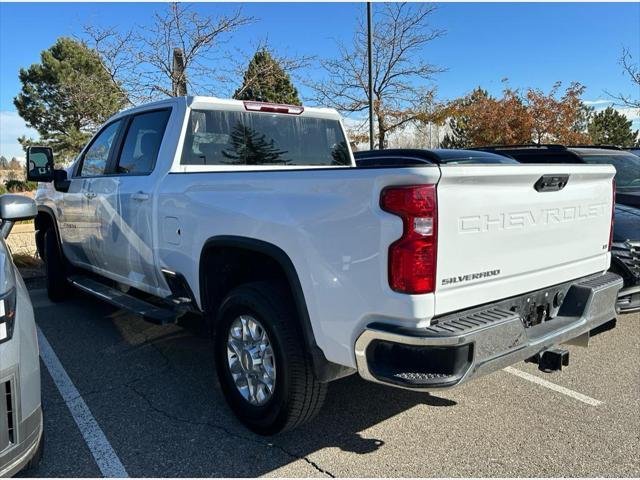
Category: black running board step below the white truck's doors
<point>148,311</point>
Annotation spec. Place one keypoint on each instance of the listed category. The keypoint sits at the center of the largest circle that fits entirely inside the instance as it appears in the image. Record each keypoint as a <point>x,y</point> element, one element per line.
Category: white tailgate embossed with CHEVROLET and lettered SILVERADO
<point>498,236</point>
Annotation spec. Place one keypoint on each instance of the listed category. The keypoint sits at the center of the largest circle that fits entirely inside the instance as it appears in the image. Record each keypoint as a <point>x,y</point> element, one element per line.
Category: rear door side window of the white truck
<point>142,142</point>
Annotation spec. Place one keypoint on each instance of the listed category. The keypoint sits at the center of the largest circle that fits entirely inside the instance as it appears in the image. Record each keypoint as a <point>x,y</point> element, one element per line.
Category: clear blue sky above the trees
<point>531,44</point>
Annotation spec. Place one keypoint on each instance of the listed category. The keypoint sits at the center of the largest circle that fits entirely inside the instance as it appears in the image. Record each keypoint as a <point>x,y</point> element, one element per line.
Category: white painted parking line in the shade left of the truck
<point>104,455</point>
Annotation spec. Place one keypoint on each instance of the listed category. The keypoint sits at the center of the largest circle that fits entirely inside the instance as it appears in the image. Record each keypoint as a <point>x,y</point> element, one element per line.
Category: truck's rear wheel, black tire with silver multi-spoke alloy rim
<point>264,370</point>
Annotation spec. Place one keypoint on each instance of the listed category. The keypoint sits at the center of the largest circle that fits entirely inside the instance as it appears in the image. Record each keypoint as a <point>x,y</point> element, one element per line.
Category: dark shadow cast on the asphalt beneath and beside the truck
<point>154,392</point>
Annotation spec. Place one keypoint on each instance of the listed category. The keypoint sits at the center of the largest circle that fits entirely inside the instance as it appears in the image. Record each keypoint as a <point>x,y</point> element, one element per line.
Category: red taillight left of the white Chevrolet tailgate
<point>412,258</point>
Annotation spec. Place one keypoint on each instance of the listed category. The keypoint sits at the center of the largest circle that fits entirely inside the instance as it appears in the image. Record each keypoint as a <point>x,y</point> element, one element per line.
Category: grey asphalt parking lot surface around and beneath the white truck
<point>154,395</point>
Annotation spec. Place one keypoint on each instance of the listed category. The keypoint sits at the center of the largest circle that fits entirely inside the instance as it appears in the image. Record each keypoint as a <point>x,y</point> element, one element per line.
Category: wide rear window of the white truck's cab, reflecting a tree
<point>246,138</point>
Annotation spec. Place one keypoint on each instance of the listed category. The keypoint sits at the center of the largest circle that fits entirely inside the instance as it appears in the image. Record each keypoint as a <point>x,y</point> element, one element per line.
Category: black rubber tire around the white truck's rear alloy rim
<point>297,396</point>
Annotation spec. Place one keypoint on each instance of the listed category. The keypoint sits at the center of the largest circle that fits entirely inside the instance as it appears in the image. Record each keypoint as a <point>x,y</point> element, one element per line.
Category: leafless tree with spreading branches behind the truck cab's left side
<point>142,62</point>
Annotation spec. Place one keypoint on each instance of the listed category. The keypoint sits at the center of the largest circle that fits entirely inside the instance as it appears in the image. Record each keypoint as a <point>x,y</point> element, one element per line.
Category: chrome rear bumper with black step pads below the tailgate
<point>469,344</point>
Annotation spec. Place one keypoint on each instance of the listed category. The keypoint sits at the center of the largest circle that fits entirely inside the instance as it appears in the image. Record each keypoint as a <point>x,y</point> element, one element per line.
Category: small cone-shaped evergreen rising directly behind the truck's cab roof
<point>266,81</point>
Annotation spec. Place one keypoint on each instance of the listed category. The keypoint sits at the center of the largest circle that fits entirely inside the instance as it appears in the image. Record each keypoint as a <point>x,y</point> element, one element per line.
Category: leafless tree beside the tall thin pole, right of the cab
<point>400,72</point>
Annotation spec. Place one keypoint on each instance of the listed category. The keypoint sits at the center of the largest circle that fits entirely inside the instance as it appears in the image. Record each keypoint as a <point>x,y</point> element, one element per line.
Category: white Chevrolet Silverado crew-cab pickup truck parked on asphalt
<point>309,268</point>
